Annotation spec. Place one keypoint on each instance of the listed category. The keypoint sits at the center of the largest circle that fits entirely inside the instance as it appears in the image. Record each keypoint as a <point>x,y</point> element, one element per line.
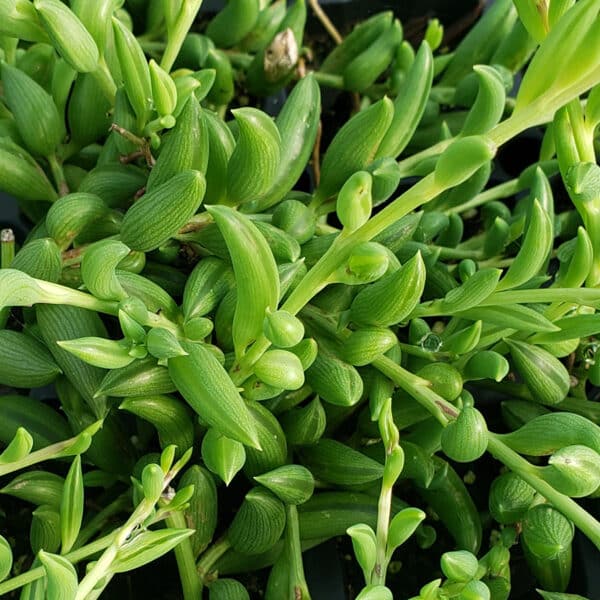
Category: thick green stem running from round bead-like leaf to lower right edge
<point>568,507</point>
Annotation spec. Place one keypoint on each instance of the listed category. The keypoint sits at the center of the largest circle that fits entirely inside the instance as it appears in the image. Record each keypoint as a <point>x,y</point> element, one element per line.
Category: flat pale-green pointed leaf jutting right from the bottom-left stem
<point>146,547</point>
